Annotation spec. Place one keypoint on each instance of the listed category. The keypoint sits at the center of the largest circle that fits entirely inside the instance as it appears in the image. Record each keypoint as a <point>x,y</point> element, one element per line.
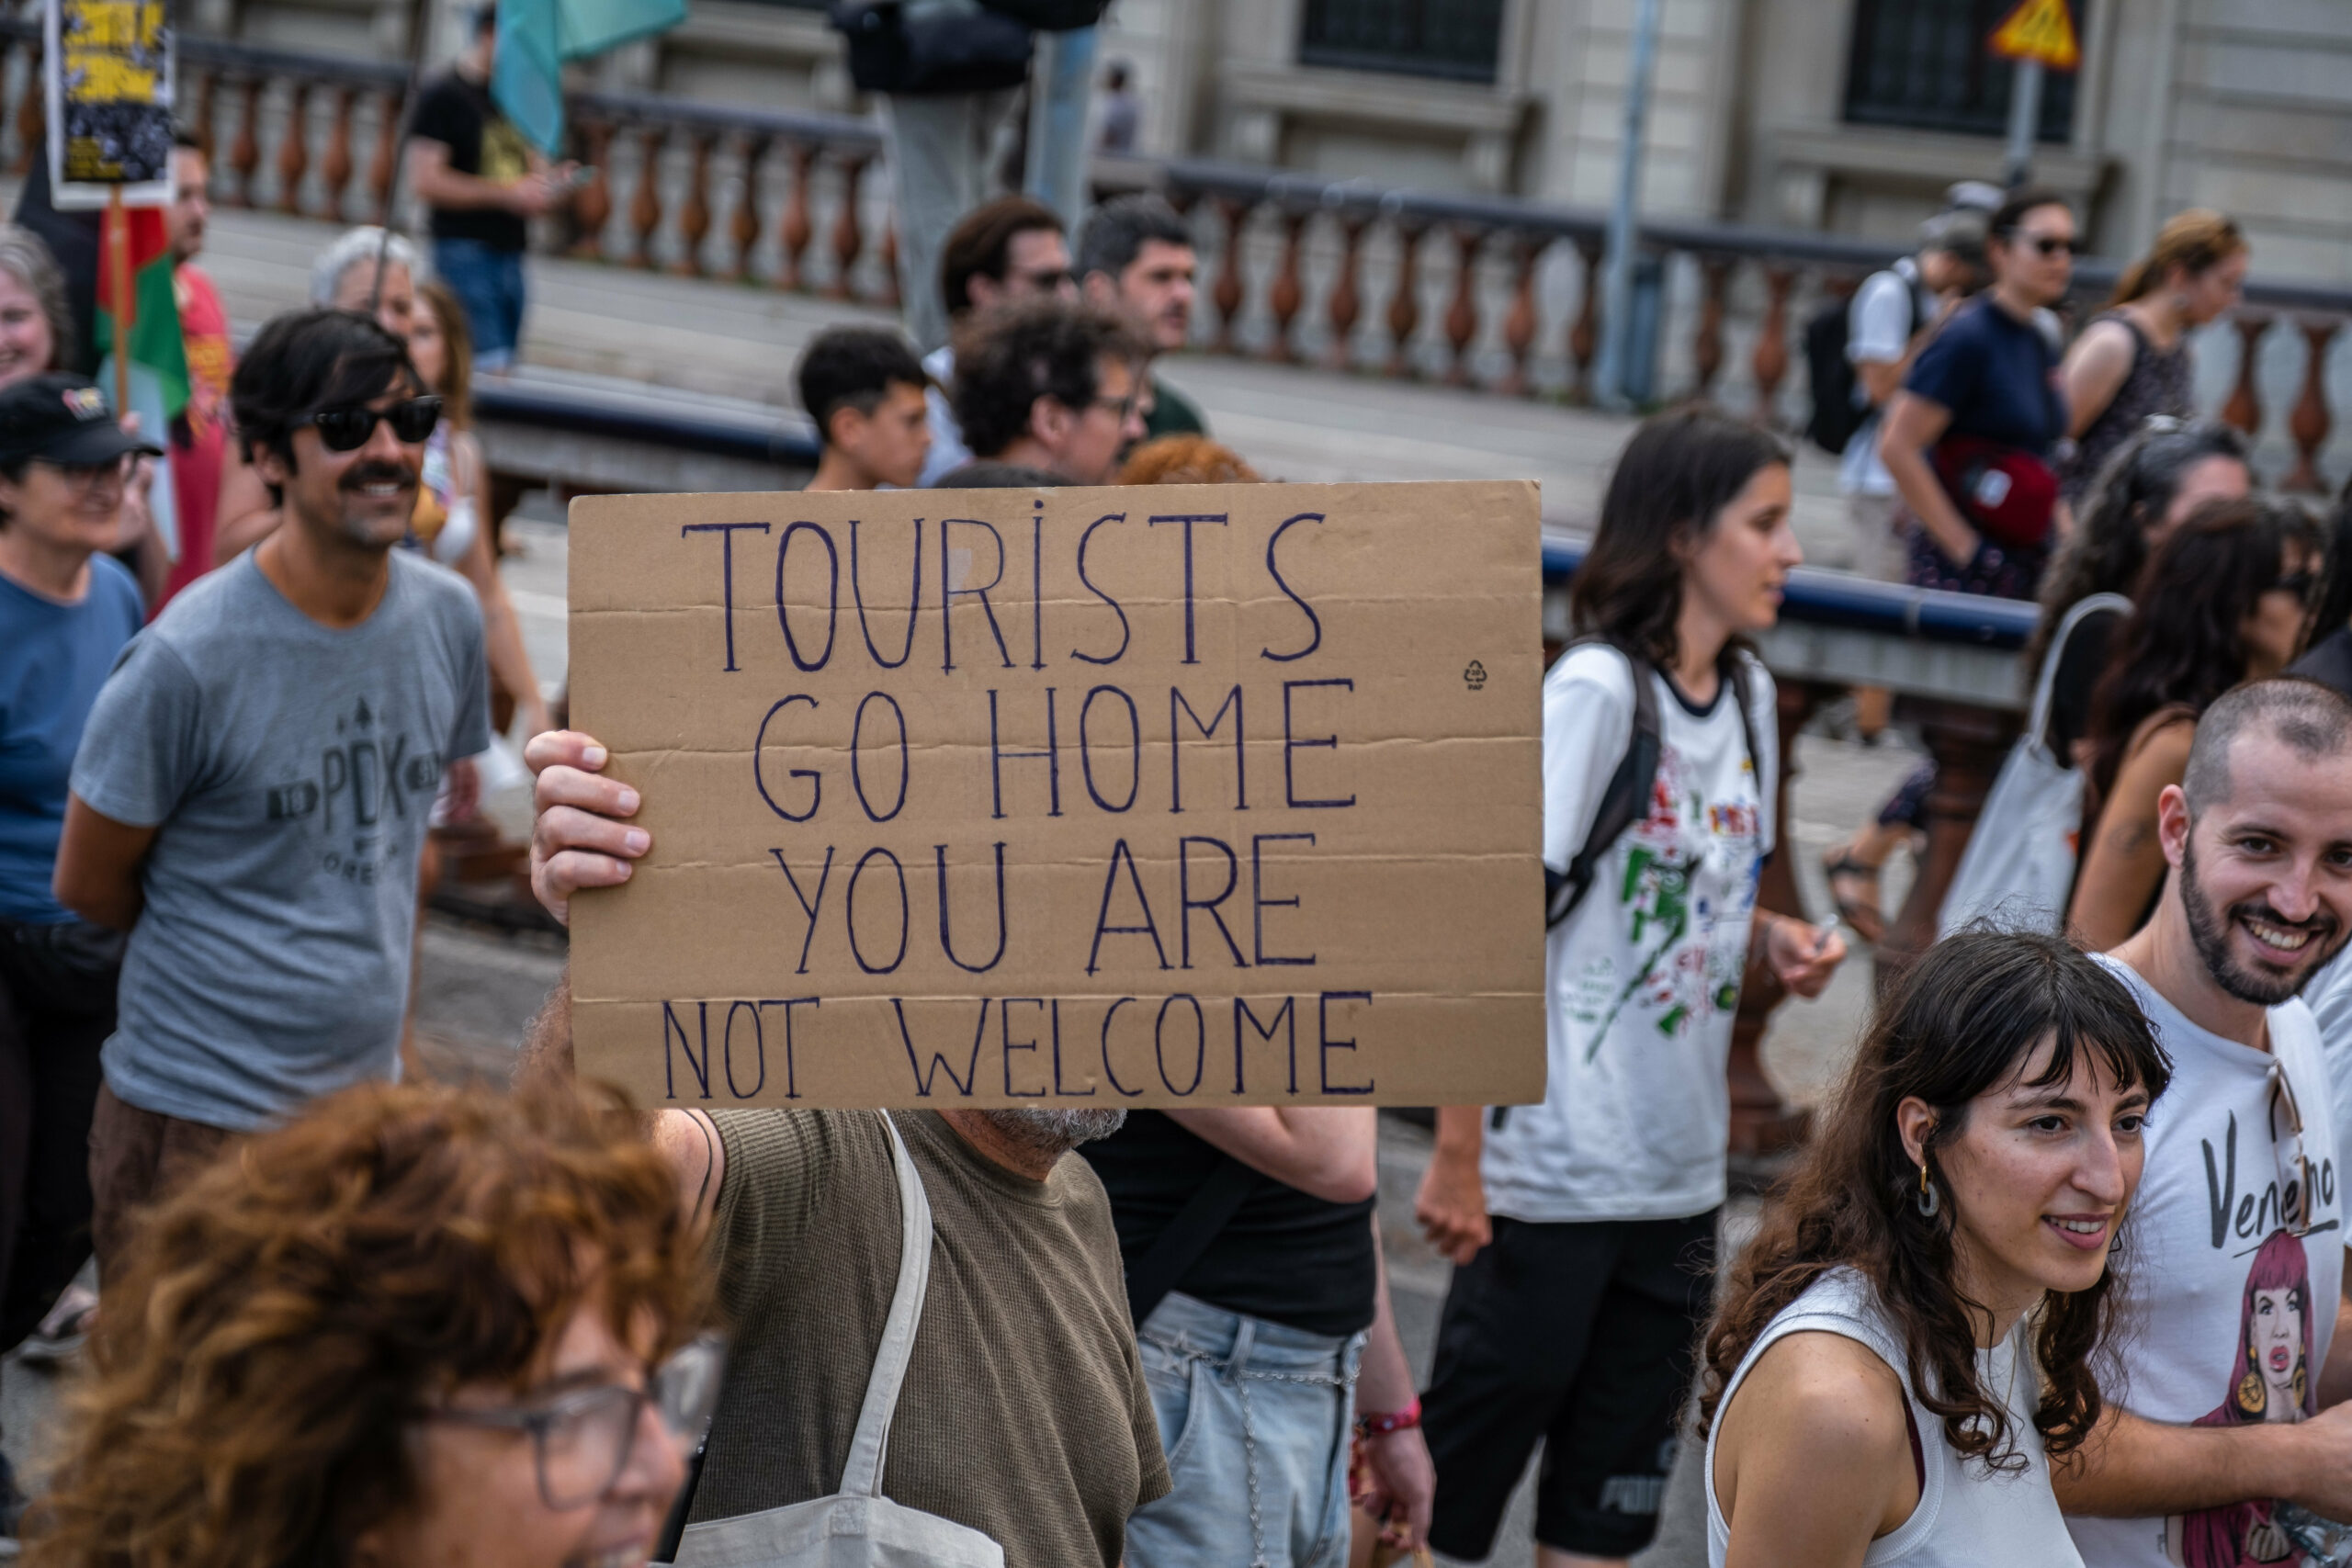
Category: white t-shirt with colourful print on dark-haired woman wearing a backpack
<point>1643,979</point>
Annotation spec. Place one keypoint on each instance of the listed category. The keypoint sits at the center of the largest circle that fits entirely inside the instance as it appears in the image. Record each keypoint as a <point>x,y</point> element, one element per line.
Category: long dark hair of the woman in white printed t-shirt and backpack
<point>1669,490</point>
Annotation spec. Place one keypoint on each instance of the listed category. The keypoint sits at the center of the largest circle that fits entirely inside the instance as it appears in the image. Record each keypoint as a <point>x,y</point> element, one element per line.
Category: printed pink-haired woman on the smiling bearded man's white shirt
<point>2269,1381</point>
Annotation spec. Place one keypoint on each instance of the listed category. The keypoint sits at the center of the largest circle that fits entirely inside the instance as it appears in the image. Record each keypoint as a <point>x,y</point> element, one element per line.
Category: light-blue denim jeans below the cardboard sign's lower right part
<point>1255,1421</point>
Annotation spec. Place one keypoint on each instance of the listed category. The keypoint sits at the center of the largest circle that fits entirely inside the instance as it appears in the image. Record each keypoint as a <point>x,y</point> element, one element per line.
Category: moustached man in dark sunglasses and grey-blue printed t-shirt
<point>258,777</point>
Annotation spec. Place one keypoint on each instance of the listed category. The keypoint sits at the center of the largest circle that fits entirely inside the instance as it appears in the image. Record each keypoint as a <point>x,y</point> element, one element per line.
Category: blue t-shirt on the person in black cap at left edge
<point>53,662</point>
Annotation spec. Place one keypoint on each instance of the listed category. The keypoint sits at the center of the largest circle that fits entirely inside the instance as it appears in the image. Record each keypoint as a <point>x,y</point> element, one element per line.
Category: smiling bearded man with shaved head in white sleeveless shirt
<point>2236,1254</point>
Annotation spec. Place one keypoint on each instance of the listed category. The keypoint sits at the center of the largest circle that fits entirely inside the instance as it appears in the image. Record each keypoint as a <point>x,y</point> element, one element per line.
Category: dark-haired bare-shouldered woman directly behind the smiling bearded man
<point>2226,601</point>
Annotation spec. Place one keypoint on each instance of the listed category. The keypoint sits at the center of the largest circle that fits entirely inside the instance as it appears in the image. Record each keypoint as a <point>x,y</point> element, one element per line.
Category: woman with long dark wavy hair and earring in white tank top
<point>1918,1325</point>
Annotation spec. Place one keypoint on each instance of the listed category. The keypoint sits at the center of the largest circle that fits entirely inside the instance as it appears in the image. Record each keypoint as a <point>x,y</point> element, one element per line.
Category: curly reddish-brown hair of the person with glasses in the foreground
<point>290,1313</point>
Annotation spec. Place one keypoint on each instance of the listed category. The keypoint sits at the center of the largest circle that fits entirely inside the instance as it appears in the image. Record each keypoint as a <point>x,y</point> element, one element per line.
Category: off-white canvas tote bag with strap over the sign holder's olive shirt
<point>860,1527</point>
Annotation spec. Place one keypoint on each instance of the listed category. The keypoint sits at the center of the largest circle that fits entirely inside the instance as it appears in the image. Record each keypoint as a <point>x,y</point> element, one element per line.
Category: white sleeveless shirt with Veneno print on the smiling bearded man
<point>2229,1285</point>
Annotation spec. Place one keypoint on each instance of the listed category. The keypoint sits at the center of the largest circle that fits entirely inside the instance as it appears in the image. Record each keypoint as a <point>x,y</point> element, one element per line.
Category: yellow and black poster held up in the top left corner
<point>109,102</point>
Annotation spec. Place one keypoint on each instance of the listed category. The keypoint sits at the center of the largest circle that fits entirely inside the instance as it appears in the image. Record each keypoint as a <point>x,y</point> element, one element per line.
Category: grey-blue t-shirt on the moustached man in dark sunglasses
<point>288,772</point>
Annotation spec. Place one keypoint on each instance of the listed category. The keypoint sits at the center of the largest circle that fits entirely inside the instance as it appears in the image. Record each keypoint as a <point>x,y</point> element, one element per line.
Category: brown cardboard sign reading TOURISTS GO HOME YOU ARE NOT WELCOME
<point>1158,796</point>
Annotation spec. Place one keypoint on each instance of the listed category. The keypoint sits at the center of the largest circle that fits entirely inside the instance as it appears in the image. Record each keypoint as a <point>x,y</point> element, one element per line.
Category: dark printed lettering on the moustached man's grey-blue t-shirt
<point>368,800</point>
